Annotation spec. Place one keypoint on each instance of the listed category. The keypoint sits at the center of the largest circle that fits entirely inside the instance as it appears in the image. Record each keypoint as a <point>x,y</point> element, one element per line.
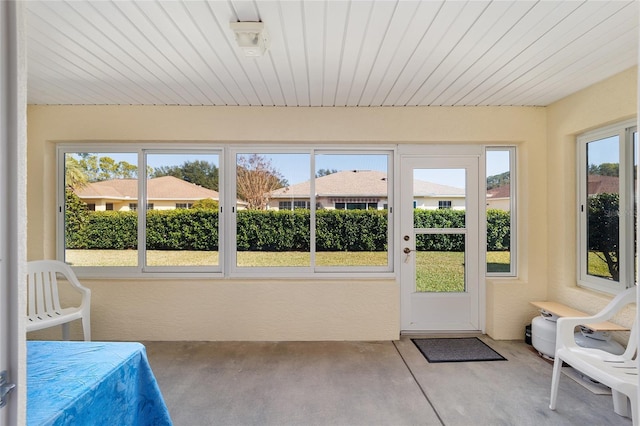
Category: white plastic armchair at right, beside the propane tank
<point>619,372</point>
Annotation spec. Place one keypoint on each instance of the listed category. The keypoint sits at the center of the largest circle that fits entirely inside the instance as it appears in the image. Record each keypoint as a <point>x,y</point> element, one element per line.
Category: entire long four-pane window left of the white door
<point>299,210</point>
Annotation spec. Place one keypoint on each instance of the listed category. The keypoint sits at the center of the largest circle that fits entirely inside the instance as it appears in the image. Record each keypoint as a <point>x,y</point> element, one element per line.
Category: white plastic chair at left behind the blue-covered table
<point>44,308</point>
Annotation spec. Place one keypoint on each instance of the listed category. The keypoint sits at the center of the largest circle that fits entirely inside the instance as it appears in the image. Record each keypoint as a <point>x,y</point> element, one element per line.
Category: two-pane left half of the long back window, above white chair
<point>103,224</point>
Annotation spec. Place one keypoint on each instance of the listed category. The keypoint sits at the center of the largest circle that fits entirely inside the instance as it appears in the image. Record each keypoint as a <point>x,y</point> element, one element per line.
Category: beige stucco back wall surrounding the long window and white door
<point>342,309</point>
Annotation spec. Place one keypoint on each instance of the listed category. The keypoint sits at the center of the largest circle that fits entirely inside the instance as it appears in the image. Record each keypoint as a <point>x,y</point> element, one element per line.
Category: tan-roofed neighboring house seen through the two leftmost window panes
<point>163,193</point>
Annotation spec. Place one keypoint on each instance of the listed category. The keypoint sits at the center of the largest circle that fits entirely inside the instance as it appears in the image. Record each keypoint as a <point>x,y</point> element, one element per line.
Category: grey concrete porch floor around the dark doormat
<point>363,383</point>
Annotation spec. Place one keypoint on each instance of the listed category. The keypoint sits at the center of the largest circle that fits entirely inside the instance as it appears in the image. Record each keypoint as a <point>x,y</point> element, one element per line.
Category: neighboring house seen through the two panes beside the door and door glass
<point>362,189</point>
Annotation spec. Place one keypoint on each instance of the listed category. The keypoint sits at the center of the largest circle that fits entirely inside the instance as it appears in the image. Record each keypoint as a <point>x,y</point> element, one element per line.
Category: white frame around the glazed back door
<point>448,151</point>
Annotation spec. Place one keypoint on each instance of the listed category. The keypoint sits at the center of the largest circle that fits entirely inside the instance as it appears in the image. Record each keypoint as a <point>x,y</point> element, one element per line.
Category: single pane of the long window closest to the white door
<point>351,223</point>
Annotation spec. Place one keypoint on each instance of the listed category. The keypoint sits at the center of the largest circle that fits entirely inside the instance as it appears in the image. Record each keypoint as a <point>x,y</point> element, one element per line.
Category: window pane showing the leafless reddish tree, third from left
<point>268,236</point>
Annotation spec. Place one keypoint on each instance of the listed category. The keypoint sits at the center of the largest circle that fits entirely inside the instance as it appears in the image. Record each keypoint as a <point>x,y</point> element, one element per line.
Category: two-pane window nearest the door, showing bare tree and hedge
<point>312,210</point>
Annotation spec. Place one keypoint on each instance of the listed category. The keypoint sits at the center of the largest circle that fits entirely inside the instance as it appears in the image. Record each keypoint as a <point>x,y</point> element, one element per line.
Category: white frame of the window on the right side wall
<point>624,130</point>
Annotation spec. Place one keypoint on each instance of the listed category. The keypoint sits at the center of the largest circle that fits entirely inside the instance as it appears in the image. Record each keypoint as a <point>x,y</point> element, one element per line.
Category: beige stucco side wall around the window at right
<point>608,102</point>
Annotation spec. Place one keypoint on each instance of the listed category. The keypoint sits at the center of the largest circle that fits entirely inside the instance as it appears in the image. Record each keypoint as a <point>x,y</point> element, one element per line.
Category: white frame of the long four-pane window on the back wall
<point>227,226</point>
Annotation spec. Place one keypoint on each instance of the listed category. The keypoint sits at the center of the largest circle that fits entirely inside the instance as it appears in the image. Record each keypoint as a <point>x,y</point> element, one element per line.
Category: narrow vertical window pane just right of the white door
<point>498,211</point>
